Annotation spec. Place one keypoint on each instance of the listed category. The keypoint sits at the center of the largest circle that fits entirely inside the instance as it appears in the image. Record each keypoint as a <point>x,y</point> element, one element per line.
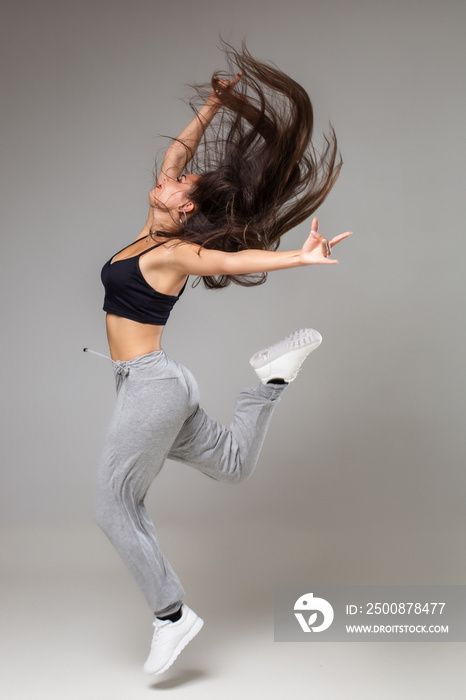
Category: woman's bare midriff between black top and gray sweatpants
<point>129,339</point>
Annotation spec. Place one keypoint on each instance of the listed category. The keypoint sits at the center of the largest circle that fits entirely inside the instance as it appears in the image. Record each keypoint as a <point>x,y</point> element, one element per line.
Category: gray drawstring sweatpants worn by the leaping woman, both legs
<point>157,415</point>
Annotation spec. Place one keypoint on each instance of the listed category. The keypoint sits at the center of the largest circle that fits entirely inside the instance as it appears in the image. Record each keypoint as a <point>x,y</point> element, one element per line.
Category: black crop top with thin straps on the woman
<point>128,294</point>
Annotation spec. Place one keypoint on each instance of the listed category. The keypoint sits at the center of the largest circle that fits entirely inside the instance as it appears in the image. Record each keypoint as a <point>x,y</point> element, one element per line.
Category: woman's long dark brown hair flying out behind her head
<point>261,174</point>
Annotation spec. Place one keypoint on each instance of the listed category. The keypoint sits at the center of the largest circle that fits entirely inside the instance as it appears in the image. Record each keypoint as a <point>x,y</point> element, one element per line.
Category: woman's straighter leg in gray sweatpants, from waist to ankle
<point>152,405</point>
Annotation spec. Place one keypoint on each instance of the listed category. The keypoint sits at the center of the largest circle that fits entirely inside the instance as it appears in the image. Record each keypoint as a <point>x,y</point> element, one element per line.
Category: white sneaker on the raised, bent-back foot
<point>284,359</point>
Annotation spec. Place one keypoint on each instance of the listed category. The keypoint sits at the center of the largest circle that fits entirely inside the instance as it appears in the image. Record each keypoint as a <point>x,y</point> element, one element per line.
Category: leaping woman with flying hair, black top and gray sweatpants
<point>256,176</point>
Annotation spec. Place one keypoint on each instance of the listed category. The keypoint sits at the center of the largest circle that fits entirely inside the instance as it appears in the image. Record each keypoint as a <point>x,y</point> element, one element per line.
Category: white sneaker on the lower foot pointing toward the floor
<point>170,638</point>
